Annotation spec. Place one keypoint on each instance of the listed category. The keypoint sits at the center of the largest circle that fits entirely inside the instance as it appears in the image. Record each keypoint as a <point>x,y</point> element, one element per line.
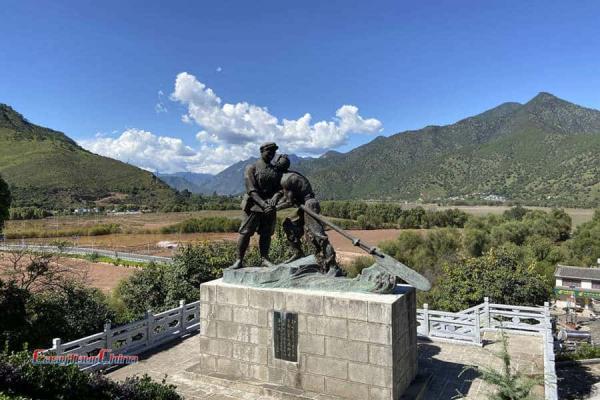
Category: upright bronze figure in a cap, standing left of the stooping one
<point>262,182</point>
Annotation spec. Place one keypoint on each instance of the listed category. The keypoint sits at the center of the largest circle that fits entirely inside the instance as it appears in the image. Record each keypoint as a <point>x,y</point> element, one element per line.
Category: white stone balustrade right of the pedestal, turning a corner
<point>466,327</point>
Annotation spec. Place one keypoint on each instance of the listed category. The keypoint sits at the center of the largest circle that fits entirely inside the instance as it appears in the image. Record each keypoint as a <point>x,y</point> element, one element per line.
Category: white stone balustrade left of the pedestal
<point>135,337</point>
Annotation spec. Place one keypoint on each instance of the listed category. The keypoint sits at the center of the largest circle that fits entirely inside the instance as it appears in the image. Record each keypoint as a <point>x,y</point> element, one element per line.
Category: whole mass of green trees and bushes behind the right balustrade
<point>492,255</point>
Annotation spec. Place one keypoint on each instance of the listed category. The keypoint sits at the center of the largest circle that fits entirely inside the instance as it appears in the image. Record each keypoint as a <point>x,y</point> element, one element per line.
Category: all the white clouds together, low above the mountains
<point>229,133</point>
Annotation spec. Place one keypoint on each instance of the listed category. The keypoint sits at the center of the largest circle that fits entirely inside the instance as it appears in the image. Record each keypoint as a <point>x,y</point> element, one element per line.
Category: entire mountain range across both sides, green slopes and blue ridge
<point>545,152</point>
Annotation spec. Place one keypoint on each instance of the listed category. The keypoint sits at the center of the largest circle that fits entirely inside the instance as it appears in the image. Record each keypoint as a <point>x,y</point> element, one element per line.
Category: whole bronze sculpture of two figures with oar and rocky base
<point>272,186</point>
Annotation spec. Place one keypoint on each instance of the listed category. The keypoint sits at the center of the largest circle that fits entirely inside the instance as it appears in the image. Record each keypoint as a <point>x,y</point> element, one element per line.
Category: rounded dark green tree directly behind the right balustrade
<point>499,274</point>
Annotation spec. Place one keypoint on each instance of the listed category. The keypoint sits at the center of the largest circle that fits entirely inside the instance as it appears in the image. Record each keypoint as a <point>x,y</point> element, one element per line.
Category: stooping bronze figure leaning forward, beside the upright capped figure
<point>296,192</point>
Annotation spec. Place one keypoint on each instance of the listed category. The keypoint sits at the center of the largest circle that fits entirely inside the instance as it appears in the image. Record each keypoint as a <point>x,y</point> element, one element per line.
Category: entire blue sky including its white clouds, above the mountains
<point>95,70</point>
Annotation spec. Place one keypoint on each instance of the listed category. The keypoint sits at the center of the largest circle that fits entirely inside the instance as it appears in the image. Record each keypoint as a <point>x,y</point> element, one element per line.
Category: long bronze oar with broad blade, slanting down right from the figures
<point>387,263</point>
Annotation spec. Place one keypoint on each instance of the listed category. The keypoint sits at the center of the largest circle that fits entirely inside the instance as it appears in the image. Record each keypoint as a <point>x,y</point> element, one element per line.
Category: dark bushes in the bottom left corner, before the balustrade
<point>19,377</point>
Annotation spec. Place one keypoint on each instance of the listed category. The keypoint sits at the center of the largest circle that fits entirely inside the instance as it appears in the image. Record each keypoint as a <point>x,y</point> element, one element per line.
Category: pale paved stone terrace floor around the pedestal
<point>445,361</point>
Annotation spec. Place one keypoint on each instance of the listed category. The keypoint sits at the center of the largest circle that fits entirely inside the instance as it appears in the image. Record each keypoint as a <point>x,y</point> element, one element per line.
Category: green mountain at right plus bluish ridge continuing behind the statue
<point>546,152</point>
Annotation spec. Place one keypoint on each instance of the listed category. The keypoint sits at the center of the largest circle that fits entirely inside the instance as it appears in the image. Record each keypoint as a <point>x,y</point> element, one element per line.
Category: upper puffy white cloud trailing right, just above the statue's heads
<point>242,123</point>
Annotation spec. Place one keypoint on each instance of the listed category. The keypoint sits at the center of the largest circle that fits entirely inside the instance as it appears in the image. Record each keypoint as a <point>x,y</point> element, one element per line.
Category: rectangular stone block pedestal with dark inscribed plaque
<point>350,345</point>
